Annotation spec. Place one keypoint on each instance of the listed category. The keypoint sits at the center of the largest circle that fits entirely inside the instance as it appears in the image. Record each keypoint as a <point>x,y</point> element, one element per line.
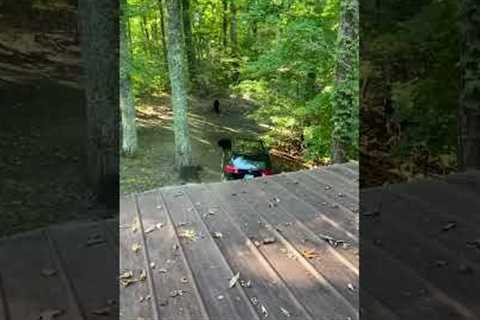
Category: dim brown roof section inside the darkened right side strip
<point>427,236</point>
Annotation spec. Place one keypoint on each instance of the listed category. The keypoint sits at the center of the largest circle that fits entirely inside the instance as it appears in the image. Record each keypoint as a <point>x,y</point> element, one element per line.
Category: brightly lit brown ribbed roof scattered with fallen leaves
<point>280,247</point>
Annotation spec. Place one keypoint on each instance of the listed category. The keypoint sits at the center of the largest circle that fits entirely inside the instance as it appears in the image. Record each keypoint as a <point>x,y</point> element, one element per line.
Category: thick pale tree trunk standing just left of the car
<point>176,66</point>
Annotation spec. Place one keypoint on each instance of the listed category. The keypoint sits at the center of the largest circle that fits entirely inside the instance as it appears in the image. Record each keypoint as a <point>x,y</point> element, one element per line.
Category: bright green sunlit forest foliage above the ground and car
<point>280,54</point>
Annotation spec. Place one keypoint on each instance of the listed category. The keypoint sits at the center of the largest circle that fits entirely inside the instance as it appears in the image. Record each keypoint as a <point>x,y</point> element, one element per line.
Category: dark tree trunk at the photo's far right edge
<point>469,115</point>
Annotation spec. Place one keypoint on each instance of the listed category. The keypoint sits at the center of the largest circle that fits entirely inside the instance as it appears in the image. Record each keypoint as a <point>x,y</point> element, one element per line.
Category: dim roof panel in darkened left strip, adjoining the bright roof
<point>89,267</point>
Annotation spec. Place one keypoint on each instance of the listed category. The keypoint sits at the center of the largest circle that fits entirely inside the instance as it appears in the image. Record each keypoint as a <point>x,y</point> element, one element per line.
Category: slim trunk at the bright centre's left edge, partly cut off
<point>127,105</point>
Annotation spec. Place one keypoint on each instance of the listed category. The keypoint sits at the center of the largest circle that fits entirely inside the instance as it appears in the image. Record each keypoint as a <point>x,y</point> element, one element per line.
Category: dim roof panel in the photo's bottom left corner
<point>27,292</point>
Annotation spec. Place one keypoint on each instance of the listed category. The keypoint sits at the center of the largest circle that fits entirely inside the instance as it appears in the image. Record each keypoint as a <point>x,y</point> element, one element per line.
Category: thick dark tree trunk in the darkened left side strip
<point>99,49</point>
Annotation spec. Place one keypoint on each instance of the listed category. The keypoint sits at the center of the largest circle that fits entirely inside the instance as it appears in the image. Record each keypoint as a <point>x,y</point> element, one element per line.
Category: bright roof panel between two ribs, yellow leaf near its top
<point>207,263</point>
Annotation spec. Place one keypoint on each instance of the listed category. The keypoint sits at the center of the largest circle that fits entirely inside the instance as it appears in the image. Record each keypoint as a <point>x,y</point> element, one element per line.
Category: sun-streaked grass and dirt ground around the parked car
<point>153,166</point>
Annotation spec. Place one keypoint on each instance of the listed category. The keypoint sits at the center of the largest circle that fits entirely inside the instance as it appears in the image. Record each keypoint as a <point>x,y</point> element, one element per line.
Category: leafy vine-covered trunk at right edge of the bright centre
<point>346,101</point>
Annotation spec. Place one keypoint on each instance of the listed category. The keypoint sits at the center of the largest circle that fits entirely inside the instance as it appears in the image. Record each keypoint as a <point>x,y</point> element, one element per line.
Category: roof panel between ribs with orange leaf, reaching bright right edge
<point>330,261</point>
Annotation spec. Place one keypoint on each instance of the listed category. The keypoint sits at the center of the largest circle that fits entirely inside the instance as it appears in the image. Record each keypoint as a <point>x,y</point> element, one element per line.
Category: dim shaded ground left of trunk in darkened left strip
<point>42,135</point>
